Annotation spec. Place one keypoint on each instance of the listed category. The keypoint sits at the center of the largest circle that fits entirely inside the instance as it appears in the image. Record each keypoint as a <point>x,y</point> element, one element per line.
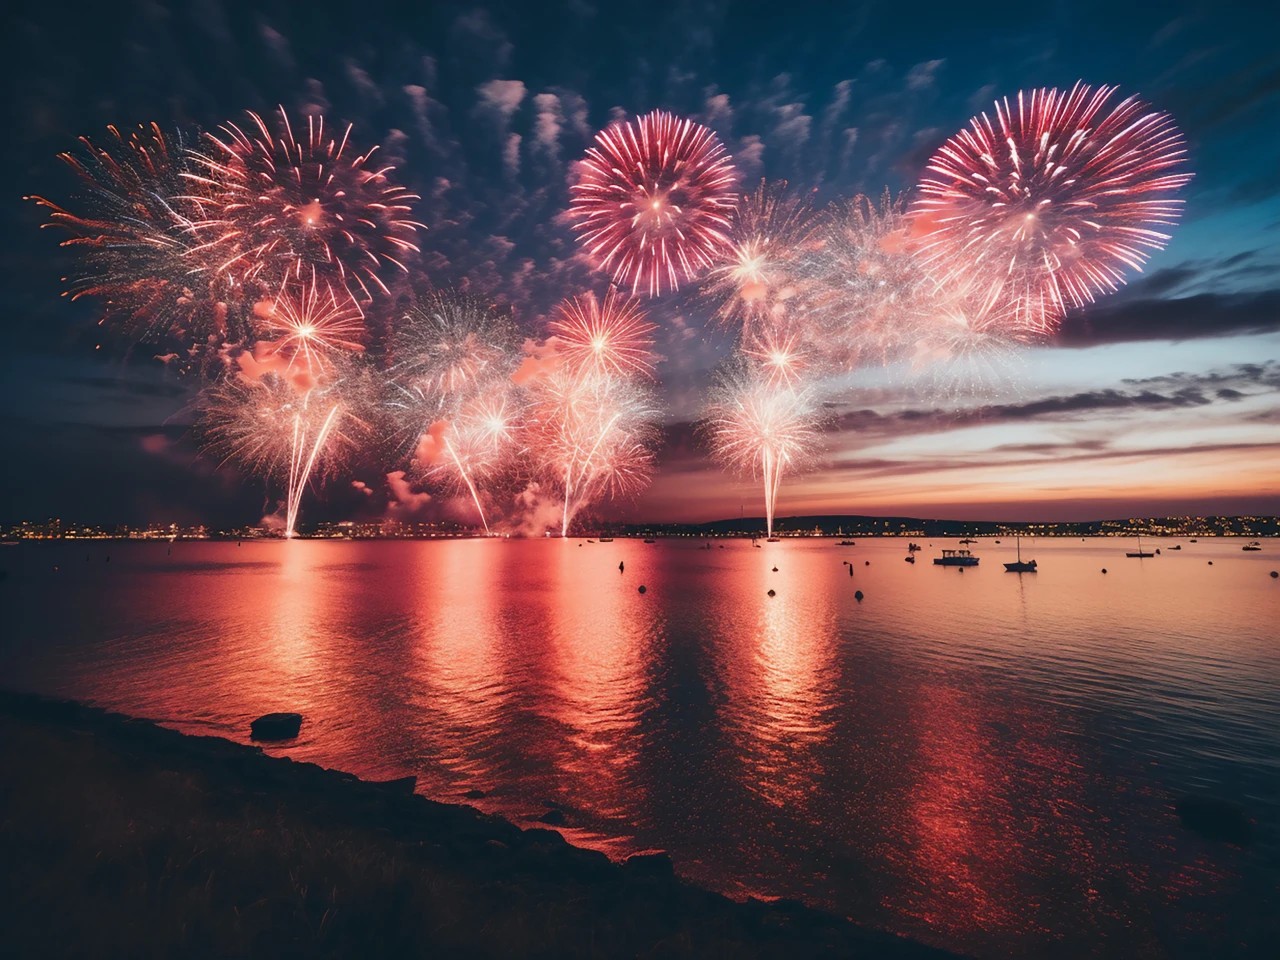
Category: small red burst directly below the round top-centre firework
<point>610,336</point>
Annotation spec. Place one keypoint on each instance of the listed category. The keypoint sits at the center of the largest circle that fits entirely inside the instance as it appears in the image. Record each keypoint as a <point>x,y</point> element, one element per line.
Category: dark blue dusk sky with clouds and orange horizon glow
<point>1164,399</point>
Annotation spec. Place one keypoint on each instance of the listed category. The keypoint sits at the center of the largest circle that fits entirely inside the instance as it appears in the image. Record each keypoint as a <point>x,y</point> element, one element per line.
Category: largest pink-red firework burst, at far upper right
<point>1055,198</point>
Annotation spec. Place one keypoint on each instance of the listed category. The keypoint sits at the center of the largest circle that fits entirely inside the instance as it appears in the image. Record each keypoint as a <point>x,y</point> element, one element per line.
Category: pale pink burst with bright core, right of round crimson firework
<point>760,278</point>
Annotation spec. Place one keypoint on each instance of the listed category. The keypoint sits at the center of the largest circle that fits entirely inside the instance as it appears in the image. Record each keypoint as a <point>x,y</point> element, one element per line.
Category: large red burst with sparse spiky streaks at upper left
<point>277,207</point>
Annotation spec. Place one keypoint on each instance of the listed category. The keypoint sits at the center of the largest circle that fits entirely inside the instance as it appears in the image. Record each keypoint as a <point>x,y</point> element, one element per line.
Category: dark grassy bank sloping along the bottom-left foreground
<point>120,838</point>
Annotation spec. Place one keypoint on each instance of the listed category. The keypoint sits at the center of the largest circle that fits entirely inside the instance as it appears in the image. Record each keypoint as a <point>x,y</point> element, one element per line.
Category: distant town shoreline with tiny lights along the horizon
<point>58,529</point>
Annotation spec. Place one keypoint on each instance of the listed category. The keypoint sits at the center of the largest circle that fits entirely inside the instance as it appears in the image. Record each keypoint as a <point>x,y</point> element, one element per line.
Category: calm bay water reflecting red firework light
<point>981,761</point>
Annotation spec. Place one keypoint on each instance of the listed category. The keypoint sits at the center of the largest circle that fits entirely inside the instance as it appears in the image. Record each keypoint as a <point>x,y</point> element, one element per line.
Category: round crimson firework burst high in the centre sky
<point>653,202</point>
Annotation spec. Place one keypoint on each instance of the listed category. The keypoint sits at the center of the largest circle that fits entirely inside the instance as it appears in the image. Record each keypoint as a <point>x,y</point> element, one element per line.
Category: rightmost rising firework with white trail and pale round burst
<point>762,431</point>
